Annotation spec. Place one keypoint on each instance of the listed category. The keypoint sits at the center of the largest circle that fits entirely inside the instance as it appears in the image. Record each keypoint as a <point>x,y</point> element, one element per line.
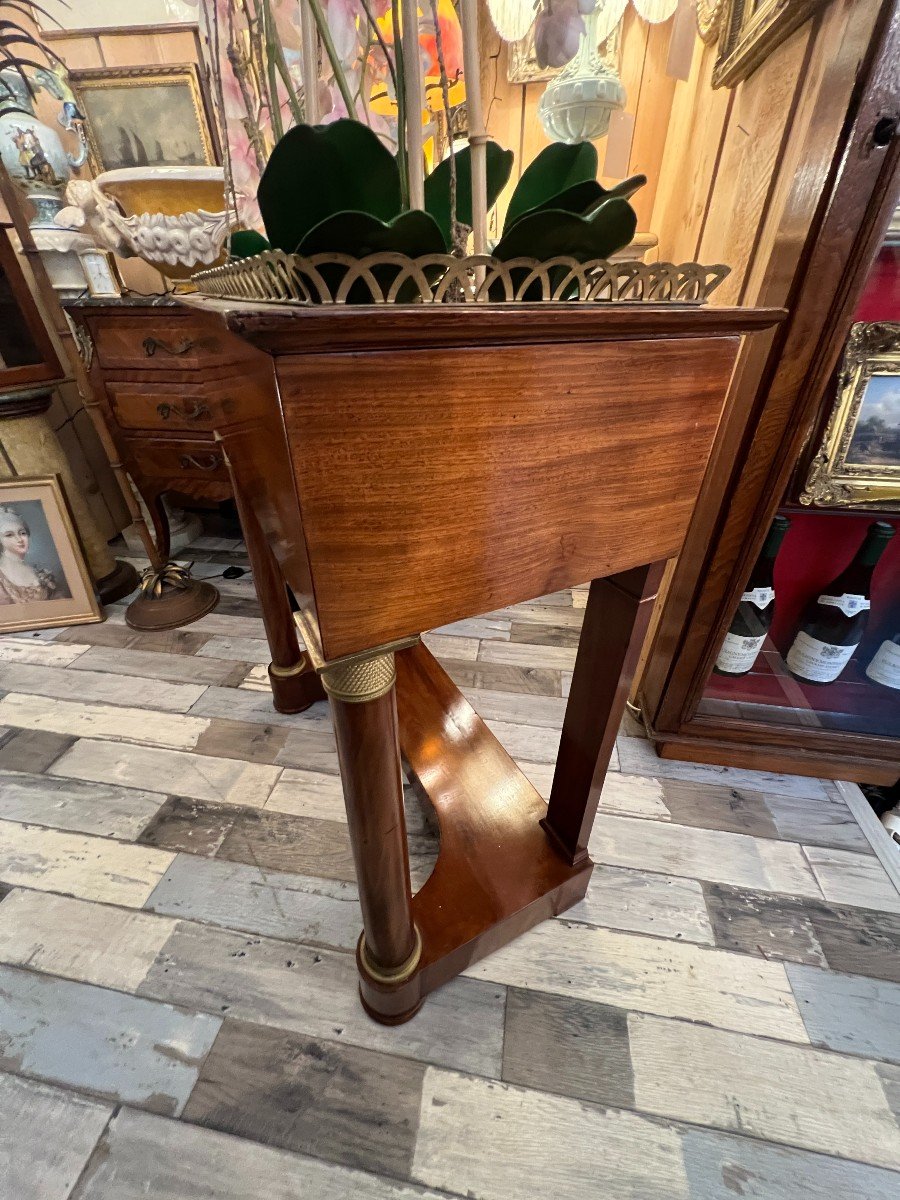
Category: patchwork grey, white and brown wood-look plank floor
<point>719,1018</point>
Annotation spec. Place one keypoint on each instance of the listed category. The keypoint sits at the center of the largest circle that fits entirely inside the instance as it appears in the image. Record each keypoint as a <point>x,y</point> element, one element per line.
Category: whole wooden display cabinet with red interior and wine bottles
<point>778,641</point>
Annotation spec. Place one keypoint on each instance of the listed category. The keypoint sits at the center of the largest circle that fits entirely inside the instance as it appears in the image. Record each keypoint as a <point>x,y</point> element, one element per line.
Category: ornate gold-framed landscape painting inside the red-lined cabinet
<point>859,463</point>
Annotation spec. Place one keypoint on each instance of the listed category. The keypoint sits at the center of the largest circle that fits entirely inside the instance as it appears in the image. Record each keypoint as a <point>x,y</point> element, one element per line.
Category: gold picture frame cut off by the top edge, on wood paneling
<point>752,31</point>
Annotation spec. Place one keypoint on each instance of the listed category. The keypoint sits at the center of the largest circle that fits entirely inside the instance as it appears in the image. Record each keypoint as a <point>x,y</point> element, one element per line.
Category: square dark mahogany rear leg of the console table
<point>616,621</point>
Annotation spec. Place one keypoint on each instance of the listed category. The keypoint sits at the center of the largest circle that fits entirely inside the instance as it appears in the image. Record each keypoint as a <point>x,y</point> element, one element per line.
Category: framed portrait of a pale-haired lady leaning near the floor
<point>44,578</point>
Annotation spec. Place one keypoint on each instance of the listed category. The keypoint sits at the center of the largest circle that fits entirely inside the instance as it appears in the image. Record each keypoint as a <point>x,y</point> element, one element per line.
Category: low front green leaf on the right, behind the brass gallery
<point>553,233</point>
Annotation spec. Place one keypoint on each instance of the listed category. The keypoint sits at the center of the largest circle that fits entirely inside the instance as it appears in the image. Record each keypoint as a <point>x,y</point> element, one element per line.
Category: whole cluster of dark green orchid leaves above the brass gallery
<point>337,189</point>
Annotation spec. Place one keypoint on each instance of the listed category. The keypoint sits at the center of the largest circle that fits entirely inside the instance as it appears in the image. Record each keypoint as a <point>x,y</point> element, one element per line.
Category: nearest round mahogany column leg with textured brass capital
<point>365,717</point>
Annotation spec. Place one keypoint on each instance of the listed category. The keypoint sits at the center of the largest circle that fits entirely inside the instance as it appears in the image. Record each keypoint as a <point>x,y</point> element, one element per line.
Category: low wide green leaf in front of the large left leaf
<point>358,235</point>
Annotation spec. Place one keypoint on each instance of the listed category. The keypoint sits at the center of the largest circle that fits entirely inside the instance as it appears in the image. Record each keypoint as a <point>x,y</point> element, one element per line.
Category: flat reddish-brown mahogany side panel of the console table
<point>437,484</point>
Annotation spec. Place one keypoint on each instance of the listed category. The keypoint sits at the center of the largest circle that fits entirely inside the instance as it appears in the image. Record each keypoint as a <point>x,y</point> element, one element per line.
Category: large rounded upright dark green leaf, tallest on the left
<point>319,171</point>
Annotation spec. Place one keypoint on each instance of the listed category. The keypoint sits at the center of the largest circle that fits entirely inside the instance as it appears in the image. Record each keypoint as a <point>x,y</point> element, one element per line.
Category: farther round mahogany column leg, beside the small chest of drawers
<point>293,680</point>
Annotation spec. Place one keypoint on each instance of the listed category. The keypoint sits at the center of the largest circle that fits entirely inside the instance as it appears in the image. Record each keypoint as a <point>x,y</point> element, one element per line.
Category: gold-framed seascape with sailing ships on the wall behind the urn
<point>154,116</point>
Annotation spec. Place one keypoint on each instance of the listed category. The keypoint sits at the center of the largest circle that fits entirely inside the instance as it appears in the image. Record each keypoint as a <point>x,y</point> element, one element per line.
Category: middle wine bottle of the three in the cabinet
<point>835,623</point>
